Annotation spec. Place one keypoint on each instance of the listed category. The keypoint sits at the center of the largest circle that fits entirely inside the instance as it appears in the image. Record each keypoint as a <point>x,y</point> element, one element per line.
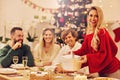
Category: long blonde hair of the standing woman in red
<point>95,40</point>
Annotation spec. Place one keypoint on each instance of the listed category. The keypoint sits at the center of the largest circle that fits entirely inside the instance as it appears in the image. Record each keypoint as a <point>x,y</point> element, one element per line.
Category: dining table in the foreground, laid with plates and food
<point>38,73</point>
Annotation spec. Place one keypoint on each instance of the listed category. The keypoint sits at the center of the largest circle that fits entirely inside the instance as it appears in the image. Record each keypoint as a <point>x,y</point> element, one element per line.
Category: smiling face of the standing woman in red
<point>92,18</point>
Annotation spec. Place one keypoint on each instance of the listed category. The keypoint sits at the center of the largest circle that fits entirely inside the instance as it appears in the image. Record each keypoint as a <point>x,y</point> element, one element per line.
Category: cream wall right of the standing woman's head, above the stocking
<point>110,9</point>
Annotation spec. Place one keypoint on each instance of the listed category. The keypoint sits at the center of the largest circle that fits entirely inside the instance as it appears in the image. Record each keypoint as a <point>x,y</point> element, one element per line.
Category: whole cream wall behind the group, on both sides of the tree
<point>16,13</point>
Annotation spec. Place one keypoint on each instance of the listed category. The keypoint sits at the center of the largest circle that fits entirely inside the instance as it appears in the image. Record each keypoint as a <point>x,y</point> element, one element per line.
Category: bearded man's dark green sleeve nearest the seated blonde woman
<point>30,56</point>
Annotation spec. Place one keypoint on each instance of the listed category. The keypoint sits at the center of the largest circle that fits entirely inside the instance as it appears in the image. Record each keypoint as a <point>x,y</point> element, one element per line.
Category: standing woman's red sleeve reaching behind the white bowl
<point>83,49</point>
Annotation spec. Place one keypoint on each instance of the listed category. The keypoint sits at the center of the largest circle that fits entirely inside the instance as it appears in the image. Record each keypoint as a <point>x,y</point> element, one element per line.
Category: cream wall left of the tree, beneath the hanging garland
<point>17,13</point>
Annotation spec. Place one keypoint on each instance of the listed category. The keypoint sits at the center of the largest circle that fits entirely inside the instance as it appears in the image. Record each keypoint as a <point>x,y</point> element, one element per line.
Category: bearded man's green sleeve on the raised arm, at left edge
<point>6,54</point>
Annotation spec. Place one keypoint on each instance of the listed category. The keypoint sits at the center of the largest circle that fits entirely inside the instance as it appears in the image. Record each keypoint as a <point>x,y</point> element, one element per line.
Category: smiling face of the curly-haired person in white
<point>70,40</point>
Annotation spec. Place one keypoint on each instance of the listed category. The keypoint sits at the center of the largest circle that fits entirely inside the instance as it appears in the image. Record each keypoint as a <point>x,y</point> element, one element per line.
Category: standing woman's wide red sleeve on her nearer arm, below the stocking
<point>99,60</point>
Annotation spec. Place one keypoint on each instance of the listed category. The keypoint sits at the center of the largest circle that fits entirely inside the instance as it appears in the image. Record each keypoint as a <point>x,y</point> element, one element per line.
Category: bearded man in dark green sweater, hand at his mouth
<point>15,47</point>
